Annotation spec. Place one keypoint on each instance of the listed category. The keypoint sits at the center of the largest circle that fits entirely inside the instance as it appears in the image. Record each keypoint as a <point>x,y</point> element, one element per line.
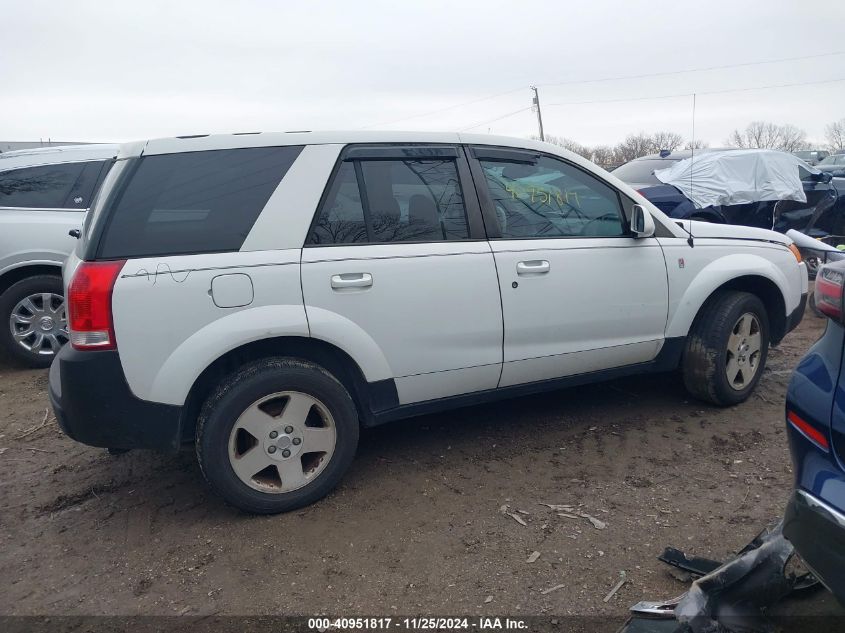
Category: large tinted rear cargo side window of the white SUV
<point>193,202</point>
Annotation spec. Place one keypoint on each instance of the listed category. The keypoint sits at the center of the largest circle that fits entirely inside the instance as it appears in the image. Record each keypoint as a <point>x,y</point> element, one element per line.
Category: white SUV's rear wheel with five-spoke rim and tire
<point>277,435</point>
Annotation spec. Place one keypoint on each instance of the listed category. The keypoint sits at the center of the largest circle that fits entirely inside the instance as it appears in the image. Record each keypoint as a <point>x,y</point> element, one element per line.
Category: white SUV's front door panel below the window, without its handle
<point>598,294</point>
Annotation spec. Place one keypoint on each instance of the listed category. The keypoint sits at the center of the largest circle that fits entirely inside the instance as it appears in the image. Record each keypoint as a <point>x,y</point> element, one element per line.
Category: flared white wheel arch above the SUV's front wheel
<point>716,274</point>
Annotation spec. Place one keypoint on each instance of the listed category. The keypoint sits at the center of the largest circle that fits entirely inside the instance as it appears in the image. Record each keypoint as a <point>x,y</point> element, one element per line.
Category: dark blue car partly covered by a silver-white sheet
<point>823,213</point>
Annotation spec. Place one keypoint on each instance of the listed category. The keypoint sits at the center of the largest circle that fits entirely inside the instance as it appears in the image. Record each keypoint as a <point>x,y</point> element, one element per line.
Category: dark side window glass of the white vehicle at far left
<point>63,186</point>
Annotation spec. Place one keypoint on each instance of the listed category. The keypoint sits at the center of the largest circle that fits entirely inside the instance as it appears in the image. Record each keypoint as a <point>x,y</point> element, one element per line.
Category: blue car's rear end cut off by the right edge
<point>815,419</point>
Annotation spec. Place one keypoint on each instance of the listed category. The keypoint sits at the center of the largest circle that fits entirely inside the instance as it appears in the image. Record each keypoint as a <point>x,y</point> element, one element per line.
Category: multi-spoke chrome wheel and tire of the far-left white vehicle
<point>33,320</point>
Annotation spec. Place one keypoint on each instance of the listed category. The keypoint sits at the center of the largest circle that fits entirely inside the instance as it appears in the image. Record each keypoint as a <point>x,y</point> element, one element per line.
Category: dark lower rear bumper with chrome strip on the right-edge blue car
<point>817,531</point>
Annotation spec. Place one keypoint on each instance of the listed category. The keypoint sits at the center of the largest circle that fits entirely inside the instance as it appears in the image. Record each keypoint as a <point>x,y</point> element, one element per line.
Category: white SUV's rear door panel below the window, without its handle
<point>431,308</point>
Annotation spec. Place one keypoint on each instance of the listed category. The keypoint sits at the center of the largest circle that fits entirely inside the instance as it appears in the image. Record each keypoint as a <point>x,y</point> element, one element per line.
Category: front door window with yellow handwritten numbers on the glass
<point>551,199</point>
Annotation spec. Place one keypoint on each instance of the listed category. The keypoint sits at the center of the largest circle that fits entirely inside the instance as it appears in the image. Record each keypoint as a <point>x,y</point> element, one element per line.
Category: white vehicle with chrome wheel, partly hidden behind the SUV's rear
<point>44,194</point>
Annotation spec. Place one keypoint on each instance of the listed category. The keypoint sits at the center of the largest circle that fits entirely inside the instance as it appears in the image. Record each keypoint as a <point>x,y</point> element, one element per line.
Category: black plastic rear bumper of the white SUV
<point>94,405</point>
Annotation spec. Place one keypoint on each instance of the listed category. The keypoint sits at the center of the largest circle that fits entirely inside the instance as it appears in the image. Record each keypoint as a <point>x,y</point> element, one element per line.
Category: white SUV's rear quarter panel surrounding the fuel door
<point>169,330</point>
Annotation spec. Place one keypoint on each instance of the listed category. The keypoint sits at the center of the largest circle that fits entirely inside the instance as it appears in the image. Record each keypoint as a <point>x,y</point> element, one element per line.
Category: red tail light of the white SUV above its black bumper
<point>89,305</point>
